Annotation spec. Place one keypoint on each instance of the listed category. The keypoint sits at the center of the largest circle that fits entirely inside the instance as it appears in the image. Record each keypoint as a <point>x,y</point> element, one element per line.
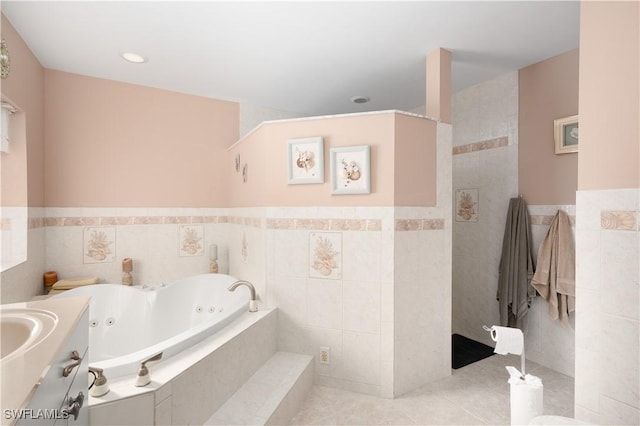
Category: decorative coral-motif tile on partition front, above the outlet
<point>325,256</point>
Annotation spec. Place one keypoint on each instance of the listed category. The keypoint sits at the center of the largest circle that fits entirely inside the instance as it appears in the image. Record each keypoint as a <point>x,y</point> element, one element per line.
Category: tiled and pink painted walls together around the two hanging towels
<point>502,147</point>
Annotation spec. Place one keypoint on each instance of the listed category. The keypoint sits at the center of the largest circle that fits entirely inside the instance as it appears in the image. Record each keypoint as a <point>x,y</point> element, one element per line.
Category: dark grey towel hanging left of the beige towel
<point>516,267</point>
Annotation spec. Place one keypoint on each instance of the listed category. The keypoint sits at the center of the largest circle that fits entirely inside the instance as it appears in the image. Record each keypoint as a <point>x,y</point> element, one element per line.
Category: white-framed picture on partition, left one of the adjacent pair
<point>305,160</point>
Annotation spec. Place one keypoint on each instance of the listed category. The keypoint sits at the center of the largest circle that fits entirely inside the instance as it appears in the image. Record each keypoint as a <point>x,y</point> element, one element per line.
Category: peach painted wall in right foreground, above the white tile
<point>609,103</point>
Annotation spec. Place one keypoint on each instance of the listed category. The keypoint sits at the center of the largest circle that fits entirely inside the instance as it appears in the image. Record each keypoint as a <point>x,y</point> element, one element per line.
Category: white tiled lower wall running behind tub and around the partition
<point>362,308</point>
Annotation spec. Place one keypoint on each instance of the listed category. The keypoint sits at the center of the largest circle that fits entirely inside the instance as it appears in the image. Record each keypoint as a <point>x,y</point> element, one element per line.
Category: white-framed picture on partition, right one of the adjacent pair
<point>350,170</point>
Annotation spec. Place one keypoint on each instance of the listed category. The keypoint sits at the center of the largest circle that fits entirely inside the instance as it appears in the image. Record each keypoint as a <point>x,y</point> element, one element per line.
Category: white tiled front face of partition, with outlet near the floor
<point>339,306</point>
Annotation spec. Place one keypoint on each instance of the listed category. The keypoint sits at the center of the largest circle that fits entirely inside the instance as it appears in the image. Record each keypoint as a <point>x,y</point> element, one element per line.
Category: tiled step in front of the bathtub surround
<point>273,395</point>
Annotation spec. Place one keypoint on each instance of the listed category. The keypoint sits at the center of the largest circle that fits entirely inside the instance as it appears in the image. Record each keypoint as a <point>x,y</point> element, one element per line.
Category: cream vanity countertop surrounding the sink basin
<point>21,375</point>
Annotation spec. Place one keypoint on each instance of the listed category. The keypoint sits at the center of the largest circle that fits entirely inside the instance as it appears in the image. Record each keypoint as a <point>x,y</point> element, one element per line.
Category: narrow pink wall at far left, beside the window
<point>25,88</point>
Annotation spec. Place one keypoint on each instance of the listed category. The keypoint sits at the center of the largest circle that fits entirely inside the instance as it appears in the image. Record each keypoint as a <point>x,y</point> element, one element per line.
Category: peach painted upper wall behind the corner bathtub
<point>113,144</point>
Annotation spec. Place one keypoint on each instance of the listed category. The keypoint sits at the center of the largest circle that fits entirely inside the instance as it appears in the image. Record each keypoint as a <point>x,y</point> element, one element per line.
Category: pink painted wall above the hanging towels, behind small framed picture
<point>548,90</point>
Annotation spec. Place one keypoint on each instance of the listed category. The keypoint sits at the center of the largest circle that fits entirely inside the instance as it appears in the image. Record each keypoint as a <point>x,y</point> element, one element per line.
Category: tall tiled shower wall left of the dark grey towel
<point>485,160</point>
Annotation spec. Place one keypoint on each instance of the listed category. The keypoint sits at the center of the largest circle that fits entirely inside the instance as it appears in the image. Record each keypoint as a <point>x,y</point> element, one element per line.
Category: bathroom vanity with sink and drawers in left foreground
<point>43,363</point>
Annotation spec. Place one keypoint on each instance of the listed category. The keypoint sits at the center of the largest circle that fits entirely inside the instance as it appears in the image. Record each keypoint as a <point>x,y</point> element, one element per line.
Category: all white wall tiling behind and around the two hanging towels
<point>485,162</point>
